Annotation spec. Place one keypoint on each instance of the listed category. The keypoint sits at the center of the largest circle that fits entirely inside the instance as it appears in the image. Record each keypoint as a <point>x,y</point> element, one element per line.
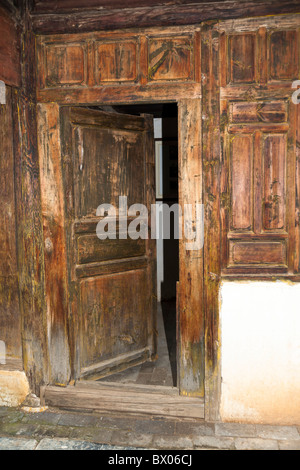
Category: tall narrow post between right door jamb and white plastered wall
<point>211,153</point>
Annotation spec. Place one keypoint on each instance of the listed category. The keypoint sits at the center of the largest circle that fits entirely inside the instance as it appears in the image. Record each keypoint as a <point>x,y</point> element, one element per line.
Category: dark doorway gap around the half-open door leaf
<point>163,371</point>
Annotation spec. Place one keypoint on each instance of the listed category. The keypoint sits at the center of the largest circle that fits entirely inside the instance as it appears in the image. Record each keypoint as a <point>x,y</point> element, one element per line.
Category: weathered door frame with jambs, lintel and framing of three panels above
<point>187,93</point>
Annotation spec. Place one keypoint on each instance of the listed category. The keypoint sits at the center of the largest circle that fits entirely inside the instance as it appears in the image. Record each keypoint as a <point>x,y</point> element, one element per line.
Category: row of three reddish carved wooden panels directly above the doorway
<point>68,64</point>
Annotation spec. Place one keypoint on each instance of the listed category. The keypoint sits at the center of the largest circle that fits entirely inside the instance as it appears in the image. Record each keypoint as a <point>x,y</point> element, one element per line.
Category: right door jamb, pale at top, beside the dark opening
<point>190,295</point>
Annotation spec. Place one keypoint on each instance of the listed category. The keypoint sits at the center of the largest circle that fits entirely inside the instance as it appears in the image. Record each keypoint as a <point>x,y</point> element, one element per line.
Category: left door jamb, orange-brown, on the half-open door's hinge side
<point>56,291</point>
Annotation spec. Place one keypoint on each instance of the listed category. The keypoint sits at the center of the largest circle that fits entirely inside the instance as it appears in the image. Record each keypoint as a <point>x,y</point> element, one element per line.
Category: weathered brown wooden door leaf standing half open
<point>112,282</point>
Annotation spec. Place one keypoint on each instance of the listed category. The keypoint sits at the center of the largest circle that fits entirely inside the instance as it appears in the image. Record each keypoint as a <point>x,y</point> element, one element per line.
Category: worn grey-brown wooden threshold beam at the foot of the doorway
<point>121,398</point>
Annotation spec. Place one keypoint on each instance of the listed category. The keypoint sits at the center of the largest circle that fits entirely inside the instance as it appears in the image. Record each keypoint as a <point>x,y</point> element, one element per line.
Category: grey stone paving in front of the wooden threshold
<point>66,430</point>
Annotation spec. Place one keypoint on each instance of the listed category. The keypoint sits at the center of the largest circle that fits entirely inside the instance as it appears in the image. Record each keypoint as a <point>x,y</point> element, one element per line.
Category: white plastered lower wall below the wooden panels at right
<point>260,352</point>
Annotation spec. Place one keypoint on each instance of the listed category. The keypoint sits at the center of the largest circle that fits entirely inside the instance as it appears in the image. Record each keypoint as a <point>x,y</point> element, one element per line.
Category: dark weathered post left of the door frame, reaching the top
<point>29,221</point>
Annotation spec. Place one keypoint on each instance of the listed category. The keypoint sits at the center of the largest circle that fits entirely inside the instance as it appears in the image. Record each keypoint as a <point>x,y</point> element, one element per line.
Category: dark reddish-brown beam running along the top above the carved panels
<point>166,15</point>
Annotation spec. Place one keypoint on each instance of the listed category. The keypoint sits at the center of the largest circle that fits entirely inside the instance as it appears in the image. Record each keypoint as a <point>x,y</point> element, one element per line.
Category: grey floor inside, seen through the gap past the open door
<point>163,371</point>
